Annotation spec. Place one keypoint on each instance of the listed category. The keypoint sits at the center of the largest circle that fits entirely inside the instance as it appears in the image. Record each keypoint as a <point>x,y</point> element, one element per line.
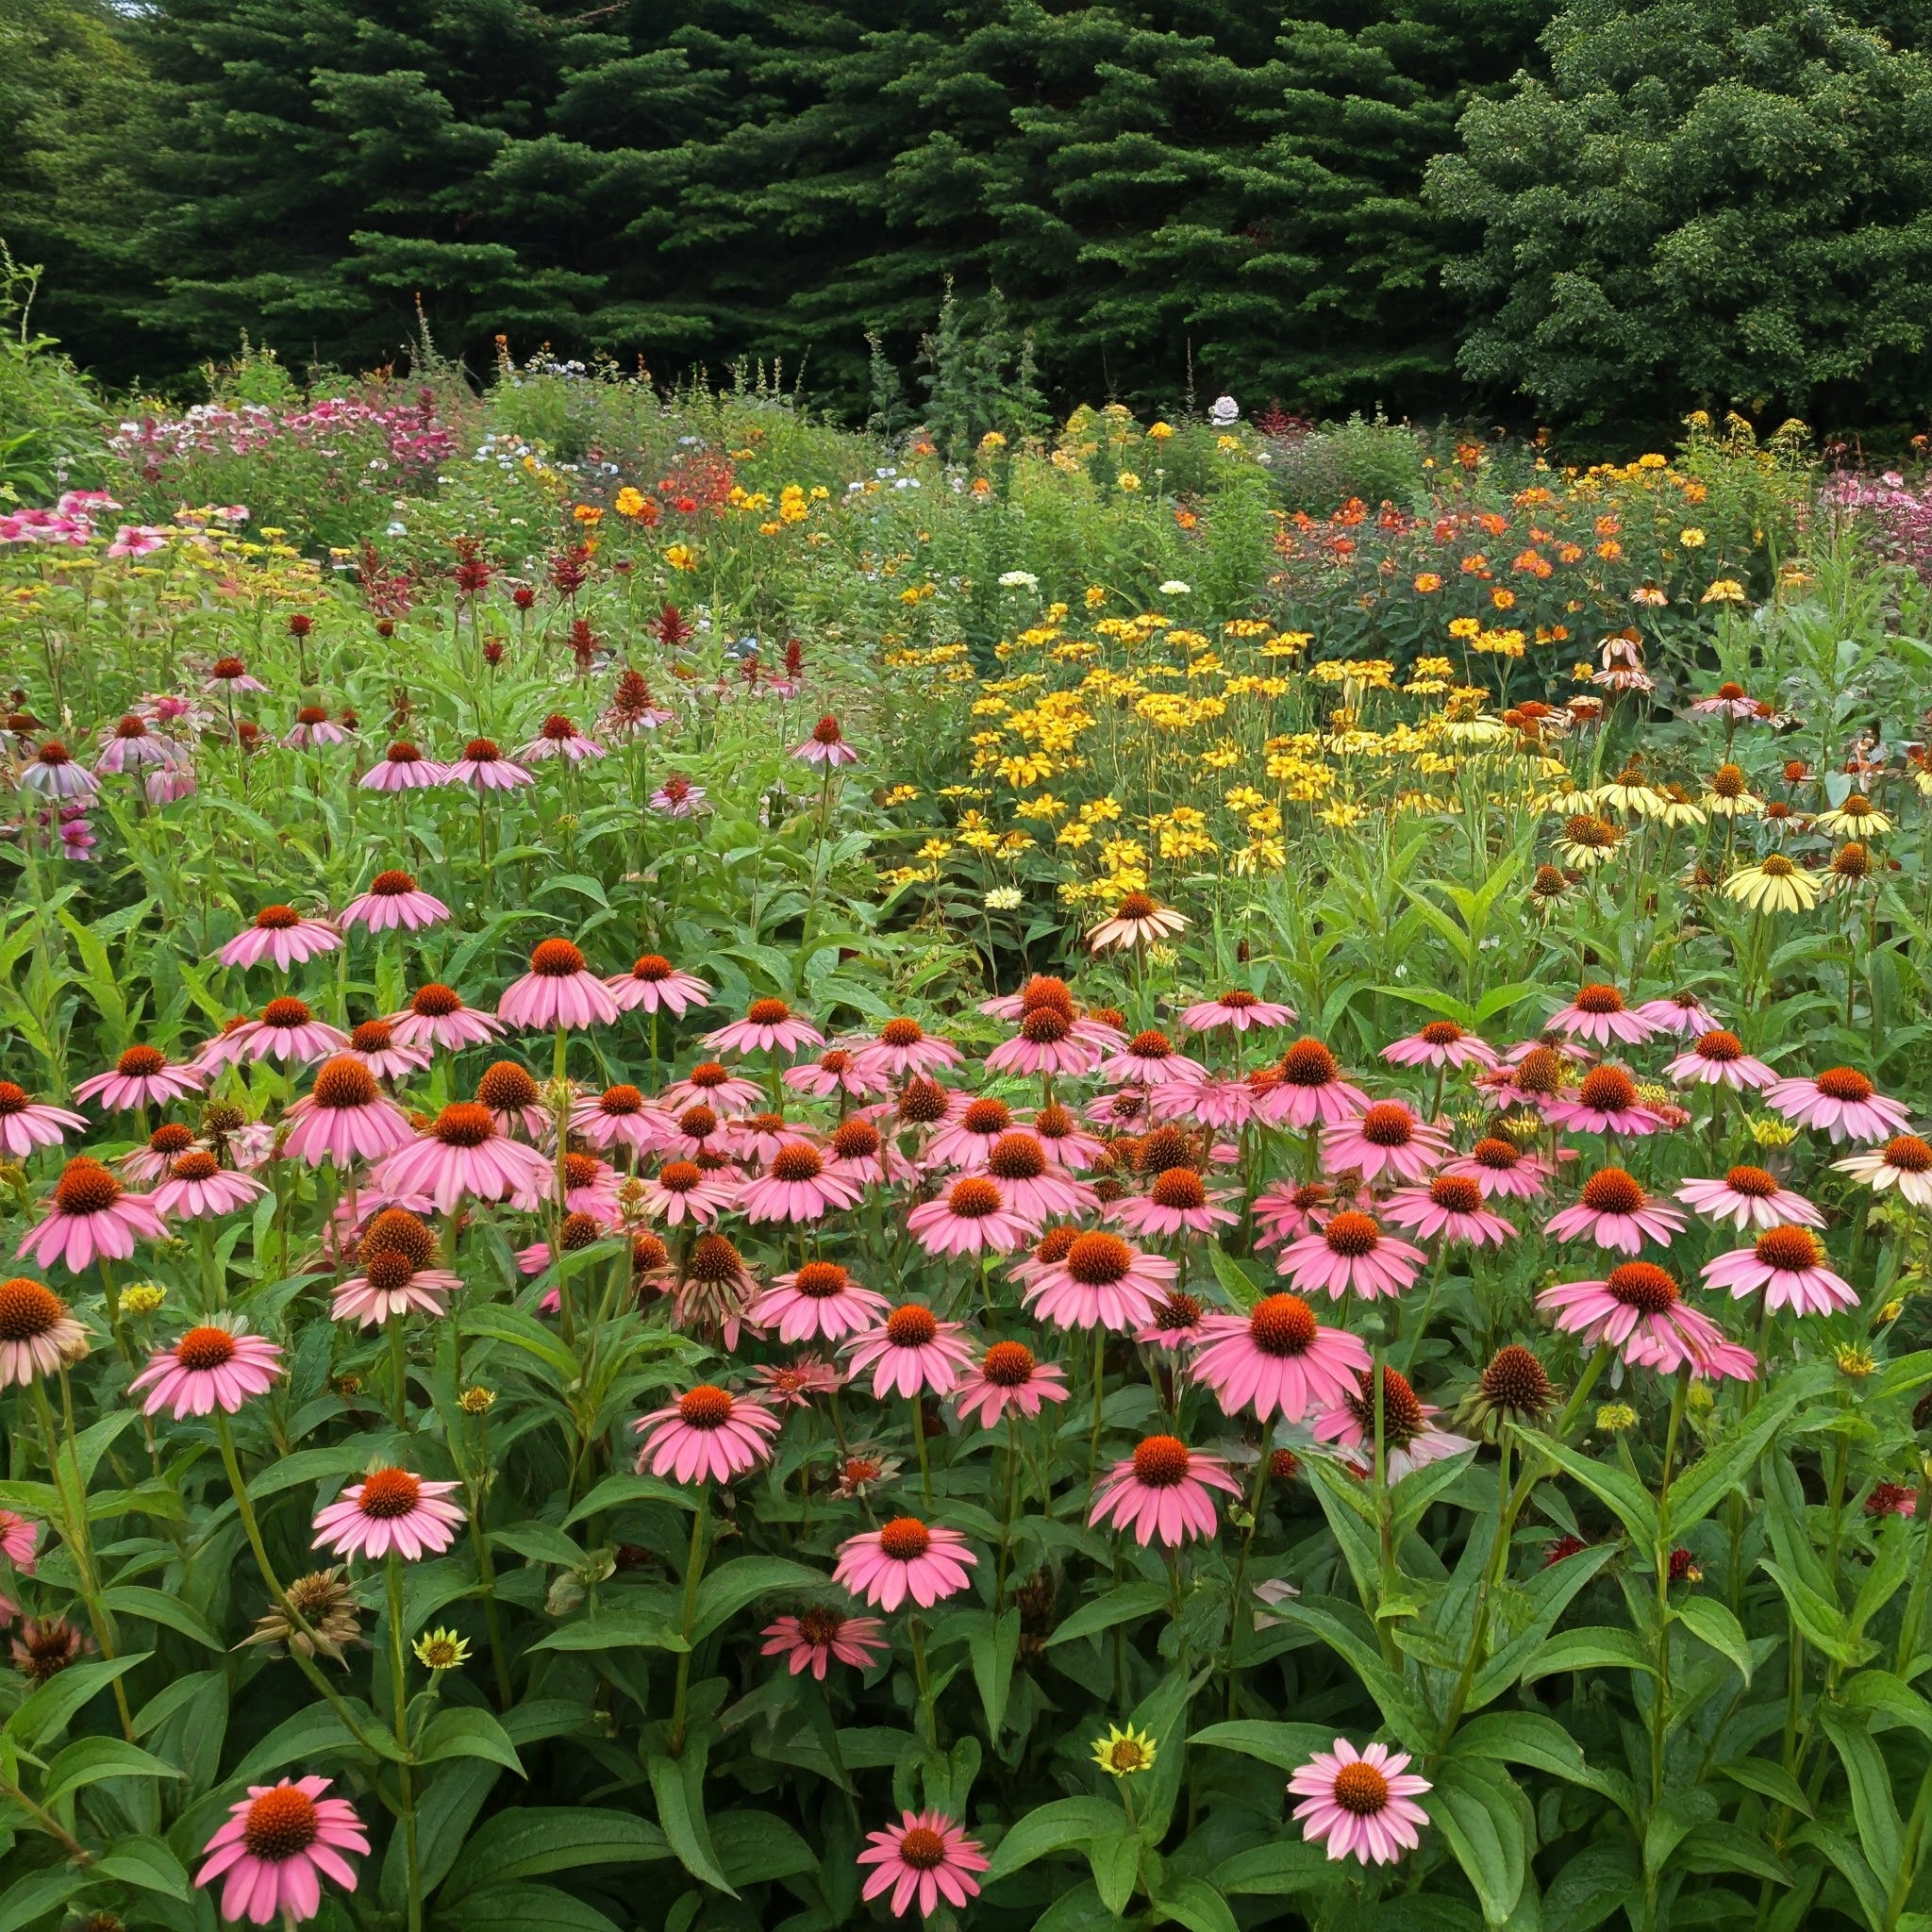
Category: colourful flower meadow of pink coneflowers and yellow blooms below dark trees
<point>754,1178</point>
